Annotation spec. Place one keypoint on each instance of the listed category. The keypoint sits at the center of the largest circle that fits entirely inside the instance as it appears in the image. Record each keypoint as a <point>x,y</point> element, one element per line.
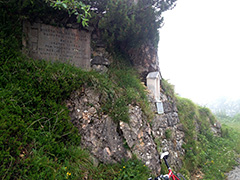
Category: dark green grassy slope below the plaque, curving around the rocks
<point>36,134</point>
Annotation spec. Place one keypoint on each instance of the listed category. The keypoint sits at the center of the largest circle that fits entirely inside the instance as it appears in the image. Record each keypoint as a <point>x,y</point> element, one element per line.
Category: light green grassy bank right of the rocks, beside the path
<point>213,155</point>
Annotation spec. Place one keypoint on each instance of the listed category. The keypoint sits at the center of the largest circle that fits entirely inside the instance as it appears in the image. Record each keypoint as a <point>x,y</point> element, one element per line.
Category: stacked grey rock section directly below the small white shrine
<point>168,131</point>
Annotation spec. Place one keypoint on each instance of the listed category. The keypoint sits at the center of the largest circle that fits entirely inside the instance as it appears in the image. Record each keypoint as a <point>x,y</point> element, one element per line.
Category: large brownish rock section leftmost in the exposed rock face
<point>99,134</point>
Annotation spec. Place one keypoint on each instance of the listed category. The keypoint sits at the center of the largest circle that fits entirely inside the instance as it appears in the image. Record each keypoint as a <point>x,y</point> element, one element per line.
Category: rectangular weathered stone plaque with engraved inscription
<point>47,42</point>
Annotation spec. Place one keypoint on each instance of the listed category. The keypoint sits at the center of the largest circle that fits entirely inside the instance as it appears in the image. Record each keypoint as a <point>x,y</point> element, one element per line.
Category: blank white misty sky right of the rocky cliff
<point>199,49</point>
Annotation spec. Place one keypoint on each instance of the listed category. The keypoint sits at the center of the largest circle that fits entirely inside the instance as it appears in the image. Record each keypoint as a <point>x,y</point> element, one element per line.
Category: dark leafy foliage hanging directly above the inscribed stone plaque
<point>56,12</point>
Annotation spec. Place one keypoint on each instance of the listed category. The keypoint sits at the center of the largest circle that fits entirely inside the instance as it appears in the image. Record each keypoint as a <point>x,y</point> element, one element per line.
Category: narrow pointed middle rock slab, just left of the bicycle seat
<point>138,135</point>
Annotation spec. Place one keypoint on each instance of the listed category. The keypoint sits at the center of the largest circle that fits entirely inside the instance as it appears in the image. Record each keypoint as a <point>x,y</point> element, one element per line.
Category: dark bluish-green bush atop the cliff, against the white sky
<point>124,24</point>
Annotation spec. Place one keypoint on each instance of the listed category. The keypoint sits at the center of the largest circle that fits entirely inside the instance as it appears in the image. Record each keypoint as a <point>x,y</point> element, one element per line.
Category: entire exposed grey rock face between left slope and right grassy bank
<point>110,142</point>
